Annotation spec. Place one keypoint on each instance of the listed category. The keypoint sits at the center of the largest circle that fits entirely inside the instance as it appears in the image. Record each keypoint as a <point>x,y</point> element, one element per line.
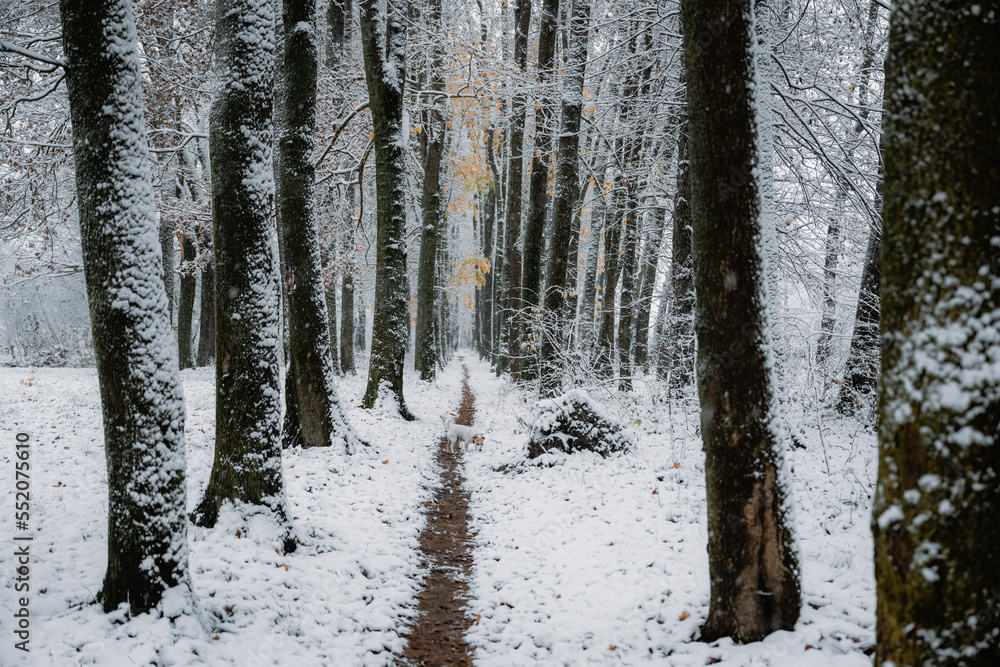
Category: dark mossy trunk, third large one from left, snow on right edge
<point>313,358</point>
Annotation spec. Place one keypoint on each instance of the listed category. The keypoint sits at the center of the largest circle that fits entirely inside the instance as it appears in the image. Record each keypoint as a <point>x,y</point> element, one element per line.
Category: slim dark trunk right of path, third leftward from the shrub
<point>513,297</point>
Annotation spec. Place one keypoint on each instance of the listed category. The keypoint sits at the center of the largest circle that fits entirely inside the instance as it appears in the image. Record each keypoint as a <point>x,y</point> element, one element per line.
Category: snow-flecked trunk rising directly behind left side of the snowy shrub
<point>564,201</point>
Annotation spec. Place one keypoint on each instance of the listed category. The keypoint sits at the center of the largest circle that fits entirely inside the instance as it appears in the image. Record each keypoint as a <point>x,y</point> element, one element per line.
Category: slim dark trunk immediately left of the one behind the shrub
<point>538,188</point>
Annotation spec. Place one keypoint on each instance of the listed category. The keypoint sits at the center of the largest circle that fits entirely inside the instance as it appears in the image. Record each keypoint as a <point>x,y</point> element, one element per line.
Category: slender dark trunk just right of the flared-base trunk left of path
<point>432,142</point>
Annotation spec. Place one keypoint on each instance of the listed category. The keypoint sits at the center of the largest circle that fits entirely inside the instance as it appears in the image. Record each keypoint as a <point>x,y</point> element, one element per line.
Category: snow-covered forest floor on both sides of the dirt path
<point>584,561</point>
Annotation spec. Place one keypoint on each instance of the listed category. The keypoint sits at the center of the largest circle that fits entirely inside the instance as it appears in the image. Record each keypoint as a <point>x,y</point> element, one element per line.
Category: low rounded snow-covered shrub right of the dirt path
<point>572,422</point>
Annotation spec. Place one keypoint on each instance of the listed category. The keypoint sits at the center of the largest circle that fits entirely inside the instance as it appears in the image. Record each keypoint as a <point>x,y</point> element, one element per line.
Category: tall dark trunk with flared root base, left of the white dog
<point>383,41</point>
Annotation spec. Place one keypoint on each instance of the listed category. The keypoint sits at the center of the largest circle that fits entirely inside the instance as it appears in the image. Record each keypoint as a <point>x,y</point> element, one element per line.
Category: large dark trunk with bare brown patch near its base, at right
<point>753,568</point>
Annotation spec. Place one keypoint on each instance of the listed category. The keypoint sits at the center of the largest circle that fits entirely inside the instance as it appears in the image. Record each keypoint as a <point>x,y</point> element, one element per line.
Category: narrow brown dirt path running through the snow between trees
<point>439,636</point>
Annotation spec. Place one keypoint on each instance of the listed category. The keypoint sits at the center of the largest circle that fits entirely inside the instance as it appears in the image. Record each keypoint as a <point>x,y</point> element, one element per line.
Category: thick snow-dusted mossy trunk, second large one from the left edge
<point>247,470</point>
